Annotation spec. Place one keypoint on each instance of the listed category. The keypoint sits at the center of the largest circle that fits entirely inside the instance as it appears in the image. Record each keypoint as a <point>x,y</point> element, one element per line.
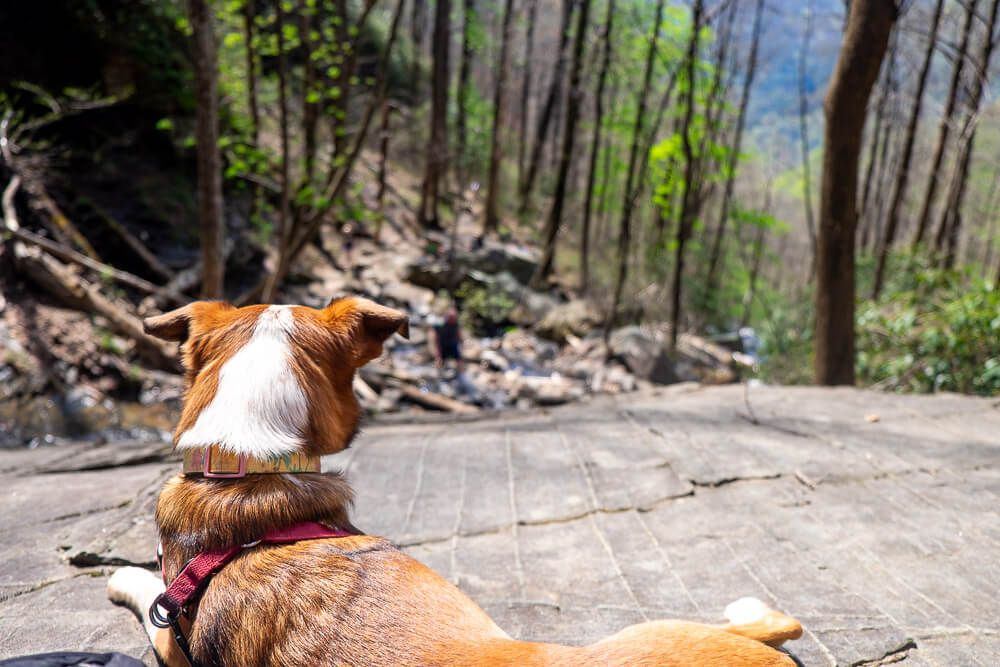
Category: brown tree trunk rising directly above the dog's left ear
<point>210,212</point>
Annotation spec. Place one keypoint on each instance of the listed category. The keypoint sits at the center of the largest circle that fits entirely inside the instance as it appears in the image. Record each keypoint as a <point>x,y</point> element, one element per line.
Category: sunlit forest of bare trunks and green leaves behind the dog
<point>822,173</point>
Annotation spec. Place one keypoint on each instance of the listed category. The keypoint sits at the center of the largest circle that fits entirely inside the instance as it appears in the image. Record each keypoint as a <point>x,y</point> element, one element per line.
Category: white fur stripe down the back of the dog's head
<point>259,408</point>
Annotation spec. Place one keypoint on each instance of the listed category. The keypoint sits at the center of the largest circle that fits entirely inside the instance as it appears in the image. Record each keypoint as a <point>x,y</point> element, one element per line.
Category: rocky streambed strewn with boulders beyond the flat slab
<point>67,377</point>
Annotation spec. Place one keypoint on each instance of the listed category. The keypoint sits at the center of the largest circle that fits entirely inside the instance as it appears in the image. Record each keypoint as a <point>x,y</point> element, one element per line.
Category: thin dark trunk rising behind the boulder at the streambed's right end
<point>691,185</point>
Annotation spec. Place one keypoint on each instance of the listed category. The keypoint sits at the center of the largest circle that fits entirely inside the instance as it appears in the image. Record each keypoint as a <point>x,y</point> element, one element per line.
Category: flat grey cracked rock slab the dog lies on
<point>873,518</point>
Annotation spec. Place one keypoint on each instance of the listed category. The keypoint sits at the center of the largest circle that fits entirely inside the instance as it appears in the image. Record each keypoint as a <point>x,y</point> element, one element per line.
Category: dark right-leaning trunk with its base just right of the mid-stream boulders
<point>566,155</point>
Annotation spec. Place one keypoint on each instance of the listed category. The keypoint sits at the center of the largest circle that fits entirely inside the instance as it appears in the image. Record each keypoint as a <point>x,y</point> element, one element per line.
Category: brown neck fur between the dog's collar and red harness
<point>195,514</point>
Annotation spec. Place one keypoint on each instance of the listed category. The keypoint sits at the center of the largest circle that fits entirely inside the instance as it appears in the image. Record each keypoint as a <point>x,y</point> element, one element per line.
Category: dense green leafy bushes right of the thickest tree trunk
<point>941,332</point>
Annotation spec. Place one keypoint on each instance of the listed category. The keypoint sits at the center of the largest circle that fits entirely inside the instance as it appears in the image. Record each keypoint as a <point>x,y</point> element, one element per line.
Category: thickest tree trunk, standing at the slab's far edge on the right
<point>869,24</point>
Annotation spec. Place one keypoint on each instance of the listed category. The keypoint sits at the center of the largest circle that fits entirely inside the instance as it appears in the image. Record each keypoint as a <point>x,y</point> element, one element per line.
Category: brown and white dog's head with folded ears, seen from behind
<point>267,381</point>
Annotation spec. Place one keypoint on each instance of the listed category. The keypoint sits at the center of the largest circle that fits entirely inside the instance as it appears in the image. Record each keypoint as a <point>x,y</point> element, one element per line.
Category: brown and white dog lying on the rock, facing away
<point>273,383</point>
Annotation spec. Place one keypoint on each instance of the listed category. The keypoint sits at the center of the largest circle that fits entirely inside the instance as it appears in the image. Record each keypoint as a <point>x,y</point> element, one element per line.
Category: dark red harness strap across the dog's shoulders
<point>189,584</point>
